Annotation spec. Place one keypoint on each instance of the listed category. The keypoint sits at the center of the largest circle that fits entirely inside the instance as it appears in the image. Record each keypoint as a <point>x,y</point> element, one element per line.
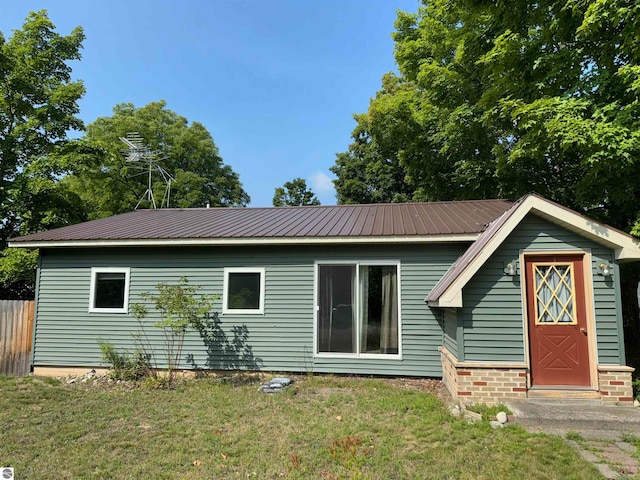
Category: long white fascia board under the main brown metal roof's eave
<point>465,237</point>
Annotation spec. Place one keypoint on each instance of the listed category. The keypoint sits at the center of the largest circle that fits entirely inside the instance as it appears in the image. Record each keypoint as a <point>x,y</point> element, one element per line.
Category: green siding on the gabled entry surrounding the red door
<point>493,314</point>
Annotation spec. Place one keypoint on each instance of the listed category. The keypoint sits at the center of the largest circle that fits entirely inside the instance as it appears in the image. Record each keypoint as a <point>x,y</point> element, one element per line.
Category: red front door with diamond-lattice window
<point>556,311</point>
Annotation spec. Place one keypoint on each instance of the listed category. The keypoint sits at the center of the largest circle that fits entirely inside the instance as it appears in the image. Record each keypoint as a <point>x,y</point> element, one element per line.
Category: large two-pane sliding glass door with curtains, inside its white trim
<point>358,309</point>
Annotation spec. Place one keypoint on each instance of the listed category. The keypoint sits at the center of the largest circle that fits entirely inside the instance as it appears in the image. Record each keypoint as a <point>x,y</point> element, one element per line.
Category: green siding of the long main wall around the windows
<point>279,340</point>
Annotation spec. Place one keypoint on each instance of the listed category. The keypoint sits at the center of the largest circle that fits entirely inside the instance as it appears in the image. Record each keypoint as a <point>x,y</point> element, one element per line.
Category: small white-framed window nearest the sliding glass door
<point>243,291</point>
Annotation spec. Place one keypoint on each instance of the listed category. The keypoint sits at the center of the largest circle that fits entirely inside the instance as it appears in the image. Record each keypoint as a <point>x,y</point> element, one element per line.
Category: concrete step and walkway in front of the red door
<point>601,434</point>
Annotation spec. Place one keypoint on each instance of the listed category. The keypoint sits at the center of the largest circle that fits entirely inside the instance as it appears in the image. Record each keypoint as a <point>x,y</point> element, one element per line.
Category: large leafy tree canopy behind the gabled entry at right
<point>497,99</point>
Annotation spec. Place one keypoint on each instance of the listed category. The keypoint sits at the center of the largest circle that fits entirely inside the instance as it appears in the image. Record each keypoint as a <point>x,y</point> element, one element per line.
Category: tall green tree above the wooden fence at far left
<point>38,106</point>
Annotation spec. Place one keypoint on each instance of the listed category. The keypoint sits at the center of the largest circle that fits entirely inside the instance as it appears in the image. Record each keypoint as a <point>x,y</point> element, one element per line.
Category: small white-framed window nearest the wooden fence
<point>109,290</point>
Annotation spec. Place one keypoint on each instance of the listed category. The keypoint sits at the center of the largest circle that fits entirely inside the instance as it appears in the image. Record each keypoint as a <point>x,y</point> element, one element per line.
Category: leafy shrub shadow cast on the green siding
<point>225,352</point>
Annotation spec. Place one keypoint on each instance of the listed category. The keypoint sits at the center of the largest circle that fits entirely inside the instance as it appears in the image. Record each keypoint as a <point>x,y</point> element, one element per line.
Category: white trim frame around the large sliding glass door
<point>316,309</point>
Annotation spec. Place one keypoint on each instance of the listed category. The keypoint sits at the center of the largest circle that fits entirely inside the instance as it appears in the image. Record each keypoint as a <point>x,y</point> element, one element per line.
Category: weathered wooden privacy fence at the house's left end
<point>16,329</point>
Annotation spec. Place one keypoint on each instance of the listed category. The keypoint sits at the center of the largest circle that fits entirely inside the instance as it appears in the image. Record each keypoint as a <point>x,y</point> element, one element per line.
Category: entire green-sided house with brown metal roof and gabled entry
<point>502,300</point>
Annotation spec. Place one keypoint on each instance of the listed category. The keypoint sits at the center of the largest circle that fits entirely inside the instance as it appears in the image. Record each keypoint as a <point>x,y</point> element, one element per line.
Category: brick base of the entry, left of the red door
<point>469,384</point>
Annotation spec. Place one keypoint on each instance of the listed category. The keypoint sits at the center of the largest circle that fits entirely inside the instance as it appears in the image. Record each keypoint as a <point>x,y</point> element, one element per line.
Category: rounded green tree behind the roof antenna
<point>109,184</point>
